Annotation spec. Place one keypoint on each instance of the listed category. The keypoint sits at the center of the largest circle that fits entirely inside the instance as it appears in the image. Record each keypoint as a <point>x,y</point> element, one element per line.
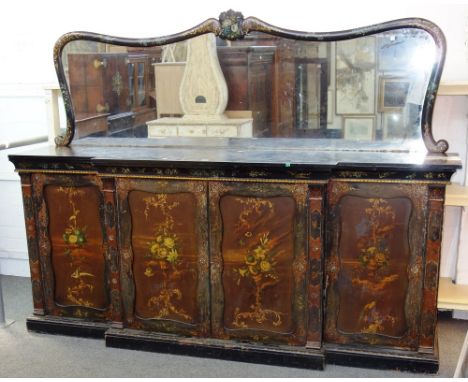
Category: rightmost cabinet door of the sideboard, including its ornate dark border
<point>374,263</point>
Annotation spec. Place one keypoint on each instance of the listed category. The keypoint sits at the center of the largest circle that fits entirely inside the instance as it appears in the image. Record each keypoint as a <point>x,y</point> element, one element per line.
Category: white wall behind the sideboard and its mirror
<point>29,30</point>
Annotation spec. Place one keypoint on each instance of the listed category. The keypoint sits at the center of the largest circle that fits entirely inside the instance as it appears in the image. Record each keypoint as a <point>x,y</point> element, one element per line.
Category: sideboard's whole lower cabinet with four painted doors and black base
<point>241,258</point>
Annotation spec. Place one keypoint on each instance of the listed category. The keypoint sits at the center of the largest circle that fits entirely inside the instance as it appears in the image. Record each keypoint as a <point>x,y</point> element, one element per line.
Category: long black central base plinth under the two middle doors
<point>213,348</point>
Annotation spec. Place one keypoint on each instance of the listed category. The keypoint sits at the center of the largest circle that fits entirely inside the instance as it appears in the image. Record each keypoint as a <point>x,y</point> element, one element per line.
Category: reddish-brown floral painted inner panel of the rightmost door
<point>374,254</point>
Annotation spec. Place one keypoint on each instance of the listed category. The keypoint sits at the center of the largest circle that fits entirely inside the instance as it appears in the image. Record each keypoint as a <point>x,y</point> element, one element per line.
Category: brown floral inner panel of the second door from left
<point>164,243</point>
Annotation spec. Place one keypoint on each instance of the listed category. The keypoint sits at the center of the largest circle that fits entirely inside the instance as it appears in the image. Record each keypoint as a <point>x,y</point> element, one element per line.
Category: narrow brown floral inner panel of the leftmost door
<point>77,249</point>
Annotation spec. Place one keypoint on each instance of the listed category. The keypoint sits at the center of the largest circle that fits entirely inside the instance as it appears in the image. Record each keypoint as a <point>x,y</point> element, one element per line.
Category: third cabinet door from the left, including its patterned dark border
<point>258,260</point>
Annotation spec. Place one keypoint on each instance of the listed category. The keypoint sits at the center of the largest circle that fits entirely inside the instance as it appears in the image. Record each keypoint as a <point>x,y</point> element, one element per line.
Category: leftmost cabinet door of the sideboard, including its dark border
<point>75,265</point>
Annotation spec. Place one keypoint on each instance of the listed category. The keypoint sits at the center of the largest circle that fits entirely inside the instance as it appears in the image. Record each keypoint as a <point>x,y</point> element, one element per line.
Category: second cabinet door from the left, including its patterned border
<point>163,244</point>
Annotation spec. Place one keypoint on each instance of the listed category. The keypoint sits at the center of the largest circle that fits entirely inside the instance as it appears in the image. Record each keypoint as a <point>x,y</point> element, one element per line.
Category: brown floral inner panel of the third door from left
<point>258,245</point>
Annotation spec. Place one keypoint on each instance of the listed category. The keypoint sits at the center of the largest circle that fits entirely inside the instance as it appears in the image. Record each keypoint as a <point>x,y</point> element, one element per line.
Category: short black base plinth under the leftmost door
<point>64,326</point>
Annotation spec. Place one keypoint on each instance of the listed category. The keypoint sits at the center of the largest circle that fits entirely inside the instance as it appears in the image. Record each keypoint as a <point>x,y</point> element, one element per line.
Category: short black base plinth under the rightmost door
<point>381,359</point>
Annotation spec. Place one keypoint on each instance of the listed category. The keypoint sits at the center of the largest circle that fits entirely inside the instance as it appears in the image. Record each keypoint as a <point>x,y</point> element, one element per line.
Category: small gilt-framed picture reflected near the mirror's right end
<point>393,92</point>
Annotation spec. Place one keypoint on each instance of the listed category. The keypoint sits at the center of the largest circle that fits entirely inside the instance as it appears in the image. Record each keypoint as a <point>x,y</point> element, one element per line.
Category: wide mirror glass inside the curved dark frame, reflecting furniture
<point>366,89</point>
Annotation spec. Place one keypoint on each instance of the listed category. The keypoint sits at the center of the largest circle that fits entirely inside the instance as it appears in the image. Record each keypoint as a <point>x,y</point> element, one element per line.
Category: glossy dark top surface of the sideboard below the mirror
<point>226,151</point>
